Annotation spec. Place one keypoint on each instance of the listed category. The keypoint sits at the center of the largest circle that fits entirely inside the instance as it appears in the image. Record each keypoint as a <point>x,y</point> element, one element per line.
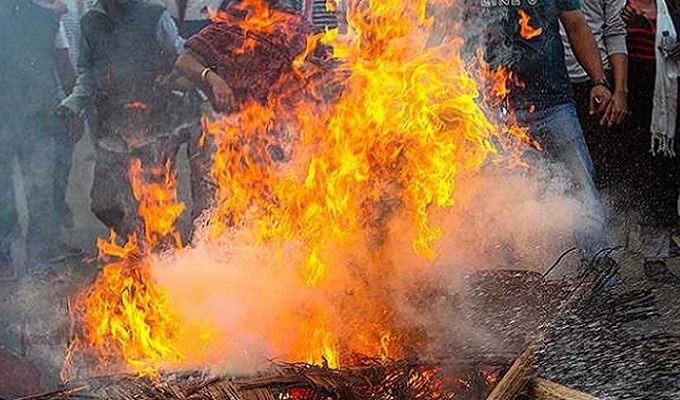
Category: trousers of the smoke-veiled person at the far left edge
<point>32,145</point>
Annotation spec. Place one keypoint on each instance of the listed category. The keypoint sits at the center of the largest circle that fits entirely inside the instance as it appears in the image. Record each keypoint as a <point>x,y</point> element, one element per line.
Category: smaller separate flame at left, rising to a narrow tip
<point>124,316</point>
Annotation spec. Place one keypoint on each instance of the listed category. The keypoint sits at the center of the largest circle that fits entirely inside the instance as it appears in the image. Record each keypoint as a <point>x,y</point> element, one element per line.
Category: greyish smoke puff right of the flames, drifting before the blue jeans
<point>512,219</point>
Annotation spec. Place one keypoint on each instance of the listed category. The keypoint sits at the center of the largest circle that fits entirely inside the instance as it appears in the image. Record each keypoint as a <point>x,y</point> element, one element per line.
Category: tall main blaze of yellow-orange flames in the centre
<point>389,148</point>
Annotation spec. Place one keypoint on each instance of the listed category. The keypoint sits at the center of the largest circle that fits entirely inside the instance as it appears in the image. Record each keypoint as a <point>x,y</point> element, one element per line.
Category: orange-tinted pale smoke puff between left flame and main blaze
<point>246,296</point>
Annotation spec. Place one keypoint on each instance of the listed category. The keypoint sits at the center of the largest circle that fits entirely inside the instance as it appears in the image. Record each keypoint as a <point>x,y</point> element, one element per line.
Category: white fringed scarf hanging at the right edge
<point>665,103</point>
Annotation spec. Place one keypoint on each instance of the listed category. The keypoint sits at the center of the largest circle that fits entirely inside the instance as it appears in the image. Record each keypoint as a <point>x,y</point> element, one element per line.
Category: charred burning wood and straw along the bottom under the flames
<point>374,381</point>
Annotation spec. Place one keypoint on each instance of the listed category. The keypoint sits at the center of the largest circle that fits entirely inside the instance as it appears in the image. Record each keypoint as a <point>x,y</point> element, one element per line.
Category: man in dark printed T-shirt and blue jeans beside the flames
<point>524,38</point>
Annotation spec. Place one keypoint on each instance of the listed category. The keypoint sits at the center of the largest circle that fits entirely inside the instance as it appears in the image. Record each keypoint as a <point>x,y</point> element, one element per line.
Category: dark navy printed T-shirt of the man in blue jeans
<point>536,61</point>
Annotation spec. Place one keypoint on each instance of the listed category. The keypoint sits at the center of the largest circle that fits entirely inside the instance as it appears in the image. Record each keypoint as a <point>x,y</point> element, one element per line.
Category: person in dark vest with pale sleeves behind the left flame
<point>128,49</point>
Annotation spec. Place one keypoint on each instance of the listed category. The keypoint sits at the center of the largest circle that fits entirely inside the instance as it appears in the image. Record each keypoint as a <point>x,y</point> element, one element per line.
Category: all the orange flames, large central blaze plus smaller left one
<point>335,164</point>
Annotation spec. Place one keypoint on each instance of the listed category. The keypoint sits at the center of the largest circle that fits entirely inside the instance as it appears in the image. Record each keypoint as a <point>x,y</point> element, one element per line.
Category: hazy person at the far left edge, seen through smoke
<point>28,70</point>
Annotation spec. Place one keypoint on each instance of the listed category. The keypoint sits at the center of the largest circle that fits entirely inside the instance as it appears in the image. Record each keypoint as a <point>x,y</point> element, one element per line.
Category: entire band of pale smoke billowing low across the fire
<point>250,297</point>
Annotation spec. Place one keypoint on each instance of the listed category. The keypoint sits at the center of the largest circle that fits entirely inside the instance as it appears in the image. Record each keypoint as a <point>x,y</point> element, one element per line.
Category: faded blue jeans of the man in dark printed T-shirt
<point>559,133</point>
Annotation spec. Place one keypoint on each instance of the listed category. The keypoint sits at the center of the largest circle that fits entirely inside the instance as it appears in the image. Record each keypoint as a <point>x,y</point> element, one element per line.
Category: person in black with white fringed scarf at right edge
<point>649,177</point>
